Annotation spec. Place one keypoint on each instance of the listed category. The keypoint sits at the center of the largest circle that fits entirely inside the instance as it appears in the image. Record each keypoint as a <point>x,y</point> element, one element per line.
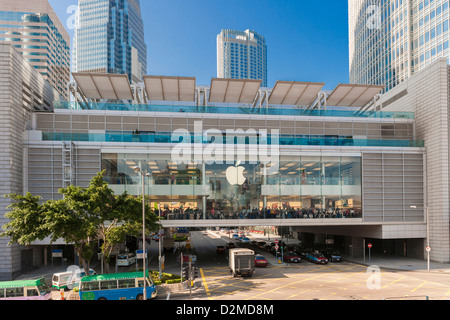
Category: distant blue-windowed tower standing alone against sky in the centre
<point>242,55</point>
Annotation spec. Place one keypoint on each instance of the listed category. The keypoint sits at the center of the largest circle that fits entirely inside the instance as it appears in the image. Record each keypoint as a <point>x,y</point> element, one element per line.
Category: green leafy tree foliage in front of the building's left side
<point>81,217</point>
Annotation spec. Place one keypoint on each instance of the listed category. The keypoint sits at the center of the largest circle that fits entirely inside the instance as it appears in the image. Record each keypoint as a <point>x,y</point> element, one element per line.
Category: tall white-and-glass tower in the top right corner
<point>391,40</point>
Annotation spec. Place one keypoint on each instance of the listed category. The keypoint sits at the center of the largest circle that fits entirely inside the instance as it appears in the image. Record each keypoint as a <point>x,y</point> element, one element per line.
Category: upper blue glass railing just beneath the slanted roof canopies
<point>231,110</point>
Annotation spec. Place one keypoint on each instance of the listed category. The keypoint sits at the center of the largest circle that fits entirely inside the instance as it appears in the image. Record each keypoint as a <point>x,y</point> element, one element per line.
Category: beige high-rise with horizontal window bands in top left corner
<point>34,30</point>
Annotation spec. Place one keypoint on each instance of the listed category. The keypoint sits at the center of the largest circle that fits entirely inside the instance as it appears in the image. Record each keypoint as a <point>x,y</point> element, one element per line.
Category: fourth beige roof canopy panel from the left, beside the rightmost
<point>295,93</point>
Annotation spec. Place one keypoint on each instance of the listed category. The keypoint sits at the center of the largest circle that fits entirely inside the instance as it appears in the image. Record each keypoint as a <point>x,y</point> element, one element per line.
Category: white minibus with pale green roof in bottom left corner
<point>25,290</point>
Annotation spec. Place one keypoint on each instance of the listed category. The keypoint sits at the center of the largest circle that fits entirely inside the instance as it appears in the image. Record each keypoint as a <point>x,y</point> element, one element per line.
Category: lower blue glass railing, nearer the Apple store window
<point>282,140</point>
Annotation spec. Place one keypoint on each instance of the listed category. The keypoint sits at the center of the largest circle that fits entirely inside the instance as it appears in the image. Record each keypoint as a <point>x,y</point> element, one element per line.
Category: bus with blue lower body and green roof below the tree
<point>117,286</point>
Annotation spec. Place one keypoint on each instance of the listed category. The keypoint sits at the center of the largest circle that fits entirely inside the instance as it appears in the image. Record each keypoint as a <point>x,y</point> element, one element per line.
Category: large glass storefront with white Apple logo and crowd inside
<point>298,187</point>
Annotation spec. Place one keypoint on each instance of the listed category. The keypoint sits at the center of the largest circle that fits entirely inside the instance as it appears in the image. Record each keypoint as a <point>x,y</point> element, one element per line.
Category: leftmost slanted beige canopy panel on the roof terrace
<point>104,86</point>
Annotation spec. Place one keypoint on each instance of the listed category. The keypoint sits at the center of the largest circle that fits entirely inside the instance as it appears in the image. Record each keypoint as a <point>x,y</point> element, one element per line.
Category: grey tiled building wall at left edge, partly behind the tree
<point>23,91</point>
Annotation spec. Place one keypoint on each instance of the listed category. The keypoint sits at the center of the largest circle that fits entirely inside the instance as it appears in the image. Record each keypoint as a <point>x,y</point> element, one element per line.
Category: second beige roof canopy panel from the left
<point>162,88</point>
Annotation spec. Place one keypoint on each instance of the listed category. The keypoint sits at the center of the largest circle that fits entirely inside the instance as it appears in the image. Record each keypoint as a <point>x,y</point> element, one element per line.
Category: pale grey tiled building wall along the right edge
<point>427,95</point>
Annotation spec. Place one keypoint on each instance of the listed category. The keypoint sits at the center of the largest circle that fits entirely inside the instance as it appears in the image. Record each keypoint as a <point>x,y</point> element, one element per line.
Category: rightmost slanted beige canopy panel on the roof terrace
<point>353,95</point>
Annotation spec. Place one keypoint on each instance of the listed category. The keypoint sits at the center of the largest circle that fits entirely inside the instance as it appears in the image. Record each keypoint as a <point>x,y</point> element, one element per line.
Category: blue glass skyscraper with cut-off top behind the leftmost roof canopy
<point>109,38</point>
